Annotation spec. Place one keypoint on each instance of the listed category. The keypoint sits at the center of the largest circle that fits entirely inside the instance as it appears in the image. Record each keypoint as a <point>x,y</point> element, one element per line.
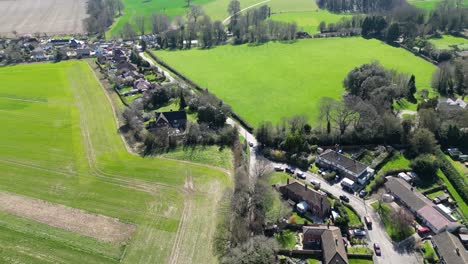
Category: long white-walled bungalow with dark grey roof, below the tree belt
<point>349,168</point>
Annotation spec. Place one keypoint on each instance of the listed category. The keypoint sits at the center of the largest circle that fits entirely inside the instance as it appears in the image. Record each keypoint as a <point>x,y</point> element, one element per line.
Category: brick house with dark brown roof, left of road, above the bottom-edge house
<point>316,200</point>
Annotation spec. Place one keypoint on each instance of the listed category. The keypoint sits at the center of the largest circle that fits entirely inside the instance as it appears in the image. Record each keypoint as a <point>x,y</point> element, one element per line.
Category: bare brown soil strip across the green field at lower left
<point>71,219</point>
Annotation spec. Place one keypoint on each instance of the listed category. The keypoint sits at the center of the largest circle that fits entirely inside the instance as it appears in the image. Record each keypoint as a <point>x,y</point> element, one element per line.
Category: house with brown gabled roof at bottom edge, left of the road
<point>329,240</point>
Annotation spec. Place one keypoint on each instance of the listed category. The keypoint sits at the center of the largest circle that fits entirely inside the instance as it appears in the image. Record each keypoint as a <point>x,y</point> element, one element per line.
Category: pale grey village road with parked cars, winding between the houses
<point>390,254</point>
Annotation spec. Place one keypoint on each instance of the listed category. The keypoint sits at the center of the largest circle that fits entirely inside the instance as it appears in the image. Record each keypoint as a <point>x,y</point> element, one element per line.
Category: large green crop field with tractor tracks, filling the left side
<point>56,149</point>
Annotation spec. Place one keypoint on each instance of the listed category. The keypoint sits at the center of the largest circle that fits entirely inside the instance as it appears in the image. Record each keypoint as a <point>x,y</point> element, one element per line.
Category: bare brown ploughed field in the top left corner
<point>45,16</point>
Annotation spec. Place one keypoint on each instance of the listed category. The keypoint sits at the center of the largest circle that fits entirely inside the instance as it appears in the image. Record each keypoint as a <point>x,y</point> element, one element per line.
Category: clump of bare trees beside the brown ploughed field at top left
<point>101,14</point>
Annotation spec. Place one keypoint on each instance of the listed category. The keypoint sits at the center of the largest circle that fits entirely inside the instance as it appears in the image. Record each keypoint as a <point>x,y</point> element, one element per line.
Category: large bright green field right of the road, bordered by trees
<point>276,80</point>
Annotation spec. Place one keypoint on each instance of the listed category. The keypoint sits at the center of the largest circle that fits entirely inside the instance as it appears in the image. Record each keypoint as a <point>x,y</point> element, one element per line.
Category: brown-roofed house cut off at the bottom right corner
<point>449,248</point>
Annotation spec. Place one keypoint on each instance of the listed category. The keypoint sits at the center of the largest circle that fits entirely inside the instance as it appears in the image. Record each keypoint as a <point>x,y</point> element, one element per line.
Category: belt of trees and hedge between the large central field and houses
<point>365,115</point>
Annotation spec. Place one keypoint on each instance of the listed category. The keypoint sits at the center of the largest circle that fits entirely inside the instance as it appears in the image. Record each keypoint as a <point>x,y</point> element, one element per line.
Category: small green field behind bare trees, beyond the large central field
<point>309,21</point>
